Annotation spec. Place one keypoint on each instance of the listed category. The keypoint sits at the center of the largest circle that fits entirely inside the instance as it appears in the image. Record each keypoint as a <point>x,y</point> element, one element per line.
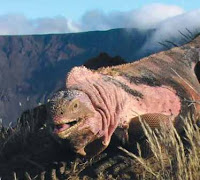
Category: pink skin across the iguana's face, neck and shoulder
<point>110,107</point>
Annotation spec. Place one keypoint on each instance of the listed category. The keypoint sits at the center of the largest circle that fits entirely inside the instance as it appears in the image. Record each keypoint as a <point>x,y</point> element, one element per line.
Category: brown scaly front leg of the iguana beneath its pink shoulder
<point>131,134</point>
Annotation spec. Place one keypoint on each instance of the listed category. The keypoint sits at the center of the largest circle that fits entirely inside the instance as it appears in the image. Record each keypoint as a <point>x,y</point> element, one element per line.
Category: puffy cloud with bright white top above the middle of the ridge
<point>146,17</point>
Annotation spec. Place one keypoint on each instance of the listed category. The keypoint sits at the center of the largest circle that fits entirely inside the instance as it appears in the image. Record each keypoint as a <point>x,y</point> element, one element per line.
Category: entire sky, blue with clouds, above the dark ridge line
<point>19,17</point>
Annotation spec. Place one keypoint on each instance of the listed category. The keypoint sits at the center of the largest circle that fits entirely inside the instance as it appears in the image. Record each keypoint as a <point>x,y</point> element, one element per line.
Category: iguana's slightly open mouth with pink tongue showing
<point>66,126</point>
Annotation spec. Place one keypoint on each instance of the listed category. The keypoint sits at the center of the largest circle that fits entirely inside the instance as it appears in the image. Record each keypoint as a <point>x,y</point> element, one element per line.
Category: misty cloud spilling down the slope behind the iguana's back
<point>170,29</point>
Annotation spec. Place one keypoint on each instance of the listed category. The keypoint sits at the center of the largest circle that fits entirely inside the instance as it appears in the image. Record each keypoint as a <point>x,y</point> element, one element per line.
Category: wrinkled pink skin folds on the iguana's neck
<point>106,101</point>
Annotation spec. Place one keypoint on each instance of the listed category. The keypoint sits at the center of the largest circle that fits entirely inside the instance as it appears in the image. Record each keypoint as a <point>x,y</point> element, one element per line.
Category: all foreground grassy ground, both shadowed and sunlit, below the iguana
<point>32,154</point>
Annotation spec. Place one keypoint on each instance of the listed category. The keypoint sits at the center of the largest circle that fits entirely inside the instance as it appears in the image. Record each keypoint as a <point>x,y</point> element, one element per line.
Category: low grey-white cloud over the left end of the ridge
<point>15,24</point>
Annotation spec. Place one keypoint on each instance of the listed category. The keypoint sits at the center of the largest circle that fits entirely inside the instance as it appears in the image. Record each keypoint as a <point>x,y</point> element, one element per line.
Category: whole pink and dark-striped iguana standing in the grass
<point>161,87</point>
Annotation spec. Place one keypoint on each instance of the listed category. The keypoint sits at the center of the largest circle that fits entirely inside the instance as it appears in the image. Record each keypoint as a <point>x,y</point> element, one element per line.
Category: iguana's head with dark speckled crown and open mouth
<point>74,118</point>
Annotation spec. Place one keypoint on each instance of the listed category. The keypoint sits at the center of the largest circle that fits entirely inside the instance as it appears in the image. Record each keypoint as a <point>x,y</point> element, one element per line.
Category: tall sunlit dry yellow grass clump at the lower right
<point>173,156</point>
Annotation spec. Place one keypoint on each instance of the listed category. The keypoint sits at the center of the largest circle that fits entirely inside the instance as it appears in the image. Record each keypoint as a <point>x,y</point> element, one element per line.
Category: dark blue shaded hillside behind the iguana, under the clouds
<point>33,67</point>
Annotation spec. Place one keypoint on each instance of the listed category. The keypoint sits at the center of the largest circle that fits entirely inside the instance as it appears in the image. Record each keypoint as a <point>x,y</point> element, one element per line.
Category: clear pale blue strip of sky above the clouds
<point>74,9</point>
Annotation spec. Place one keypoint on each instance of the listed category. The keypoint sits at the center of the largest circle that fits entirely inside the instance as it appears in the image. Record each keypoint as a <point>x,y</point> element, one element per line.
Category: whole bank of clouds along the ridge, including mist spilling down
<point>166,19</point>
